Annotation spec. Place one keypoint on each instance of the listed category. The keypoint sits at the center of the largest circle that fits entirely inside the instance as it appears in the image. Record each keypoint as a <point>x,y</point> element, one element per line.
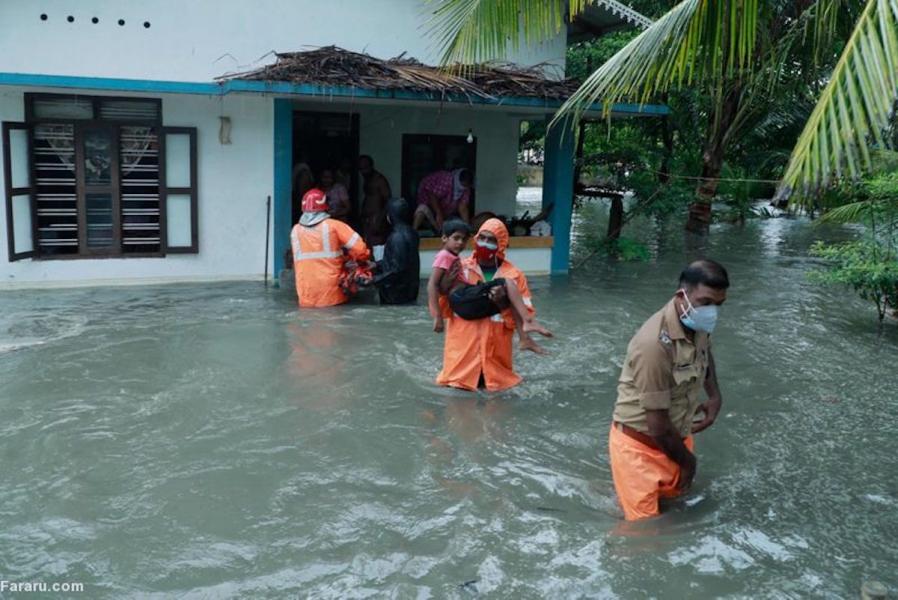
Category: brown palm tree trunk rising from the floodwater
<point>712,161</point>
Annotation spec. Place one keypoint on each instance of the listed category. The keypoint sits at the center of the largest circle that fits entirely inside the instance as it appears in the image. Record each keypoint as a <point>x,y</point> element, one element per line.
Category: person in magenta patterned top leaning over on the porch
<point>442,195</point>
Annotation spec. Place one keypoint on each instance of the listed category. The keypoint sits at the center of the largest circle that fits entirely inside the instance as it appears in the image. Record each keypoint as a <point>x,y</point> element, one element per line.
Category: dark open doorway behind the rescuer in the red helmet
<point>323,140</point>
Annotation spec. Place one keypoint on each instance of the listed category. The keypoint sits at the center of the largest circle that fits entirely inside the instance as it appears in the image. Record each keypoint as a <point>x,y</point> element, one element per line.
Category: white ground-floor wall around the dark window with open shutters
<point>233,182</point>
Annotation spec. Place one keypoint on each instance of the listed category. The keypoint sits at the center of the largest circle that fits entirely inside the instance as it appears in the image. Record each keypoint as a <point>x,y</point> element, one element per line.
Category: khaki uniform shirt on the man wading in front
<point>663,370</point>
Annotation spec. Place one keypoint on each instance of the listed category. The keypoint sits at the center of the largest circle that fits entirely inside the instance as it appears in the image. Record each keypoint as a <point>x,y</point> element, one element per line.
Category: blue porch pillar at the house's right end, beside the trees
<point>558,189</point>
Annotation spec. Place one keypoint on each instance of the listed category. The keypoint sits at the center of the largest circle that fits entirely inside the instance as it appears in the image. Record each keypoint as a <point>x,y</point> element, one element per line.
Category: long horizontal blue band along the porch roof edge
<point>285,88</point>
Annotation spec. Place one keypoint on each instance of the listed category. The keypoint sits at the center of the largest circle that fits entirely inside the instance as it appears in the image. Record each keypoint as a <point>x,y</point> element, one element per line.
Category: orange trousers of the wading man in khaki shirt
<point>642,475</point>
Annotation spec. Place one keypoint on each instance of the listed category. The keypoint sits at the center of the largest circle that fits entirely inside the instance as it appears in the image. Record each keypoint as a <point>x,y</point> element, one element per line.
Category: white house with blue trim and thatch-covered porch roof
<point>134,151</point>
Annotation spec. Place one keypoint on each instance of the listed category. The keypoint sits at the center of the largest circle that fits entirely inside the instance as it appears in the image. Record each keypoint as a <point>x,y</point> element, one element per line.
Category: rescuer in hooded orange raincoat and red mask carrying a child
<point>476,352</point>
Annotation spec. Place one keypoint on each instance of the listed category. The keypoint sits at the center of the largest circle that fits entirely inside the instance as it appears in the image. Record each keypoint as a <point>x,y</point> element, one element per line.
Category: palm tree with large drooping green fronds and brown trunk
<point>740,54</point>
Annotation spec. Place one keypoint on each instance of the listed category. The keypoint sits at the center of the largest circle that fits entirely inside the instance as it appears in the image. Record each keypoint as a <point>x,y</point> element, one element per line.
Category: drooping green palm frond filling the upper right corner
<point>854,110</point>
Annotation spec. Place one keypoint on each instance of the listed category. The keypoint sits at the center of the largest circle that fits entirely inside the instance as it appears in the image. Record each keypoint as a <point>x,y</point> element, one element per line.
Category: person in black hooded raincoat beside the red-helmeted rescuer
<point>398,275</point>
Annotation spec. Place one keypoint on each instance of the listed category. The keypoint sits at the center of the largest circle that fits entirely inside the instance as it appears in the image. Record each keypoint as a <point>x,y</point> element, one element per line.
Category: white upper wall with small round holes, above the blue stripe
<point>198,40</point>
